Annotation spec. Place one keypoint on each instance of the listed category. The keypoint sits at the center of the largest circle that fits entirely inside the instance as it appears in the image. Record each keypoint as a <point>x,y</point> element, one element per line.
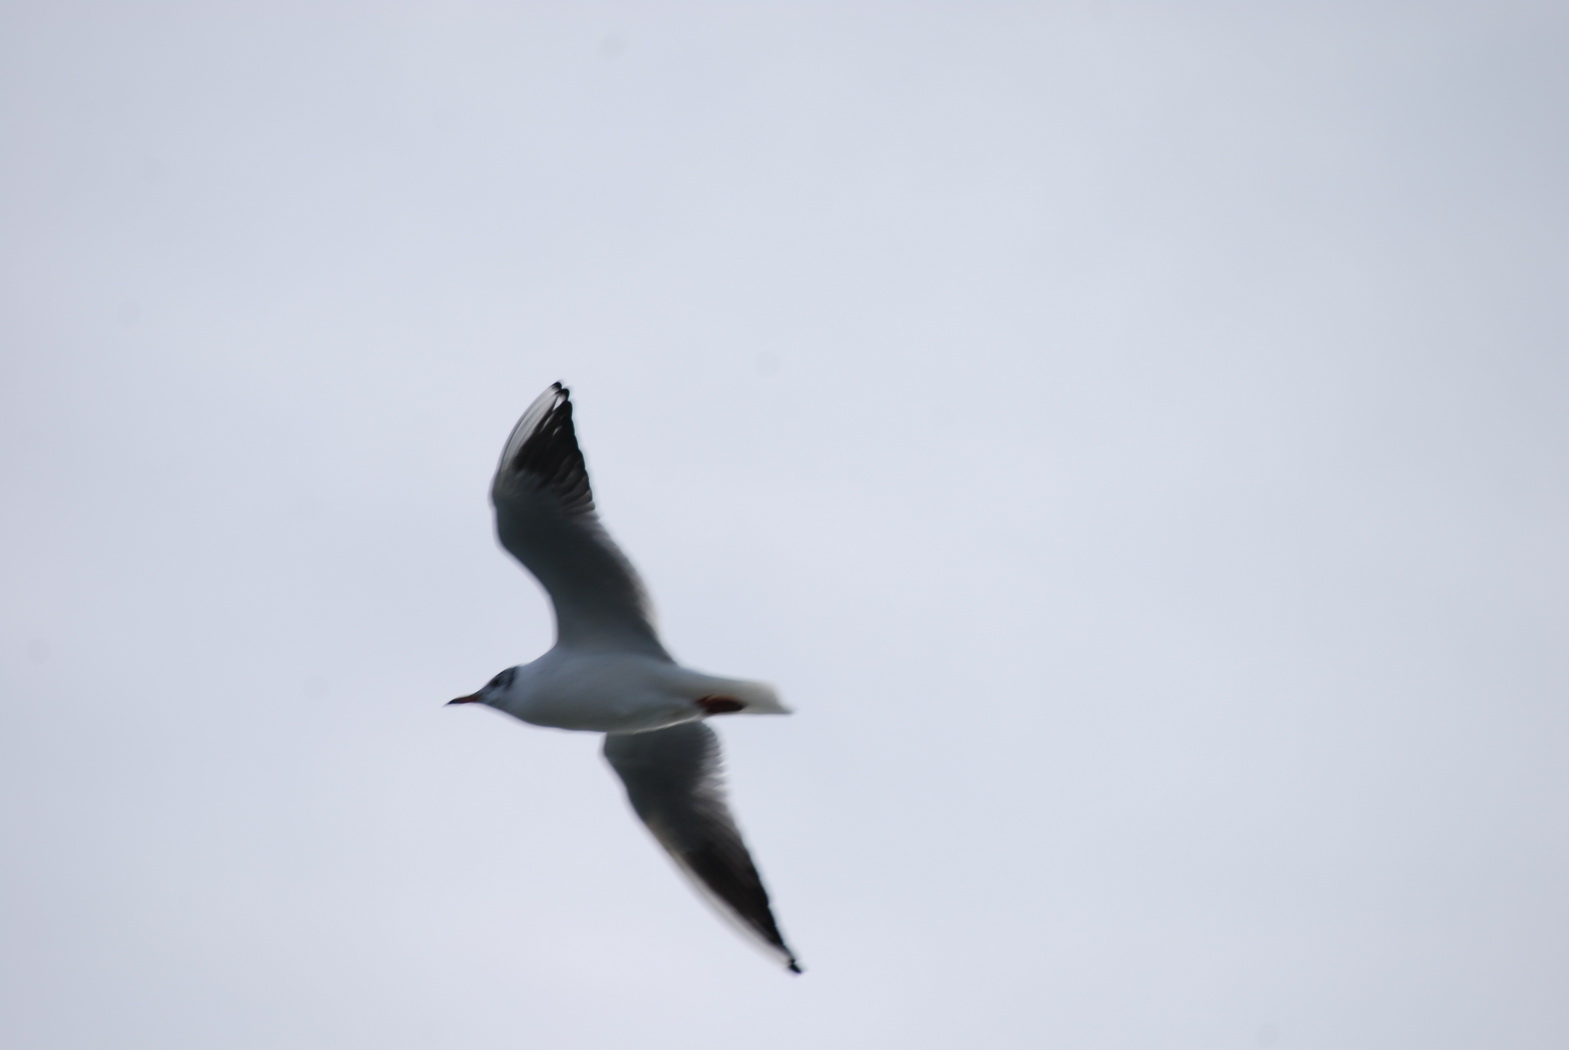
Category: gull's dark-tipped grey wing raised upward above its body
<point>545,519</point>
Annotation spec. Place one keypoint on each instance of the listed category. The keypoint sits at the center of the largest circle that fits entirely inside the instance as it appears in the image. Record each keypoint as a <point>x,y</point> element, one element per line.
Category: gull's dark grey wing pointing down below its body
<point>675,784</point>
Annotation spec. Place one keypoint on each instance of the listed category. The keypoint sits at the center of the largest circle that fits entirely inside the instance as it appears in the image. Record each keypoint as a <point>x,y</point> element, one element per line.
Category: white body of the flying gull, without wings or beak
<point>621,693</point>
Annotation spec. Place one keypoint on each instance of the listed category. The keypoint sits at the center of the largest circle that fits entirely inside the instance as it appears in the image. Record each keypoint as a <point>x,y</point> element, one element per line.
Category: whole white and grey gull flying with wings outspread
<point>610,673</point>
